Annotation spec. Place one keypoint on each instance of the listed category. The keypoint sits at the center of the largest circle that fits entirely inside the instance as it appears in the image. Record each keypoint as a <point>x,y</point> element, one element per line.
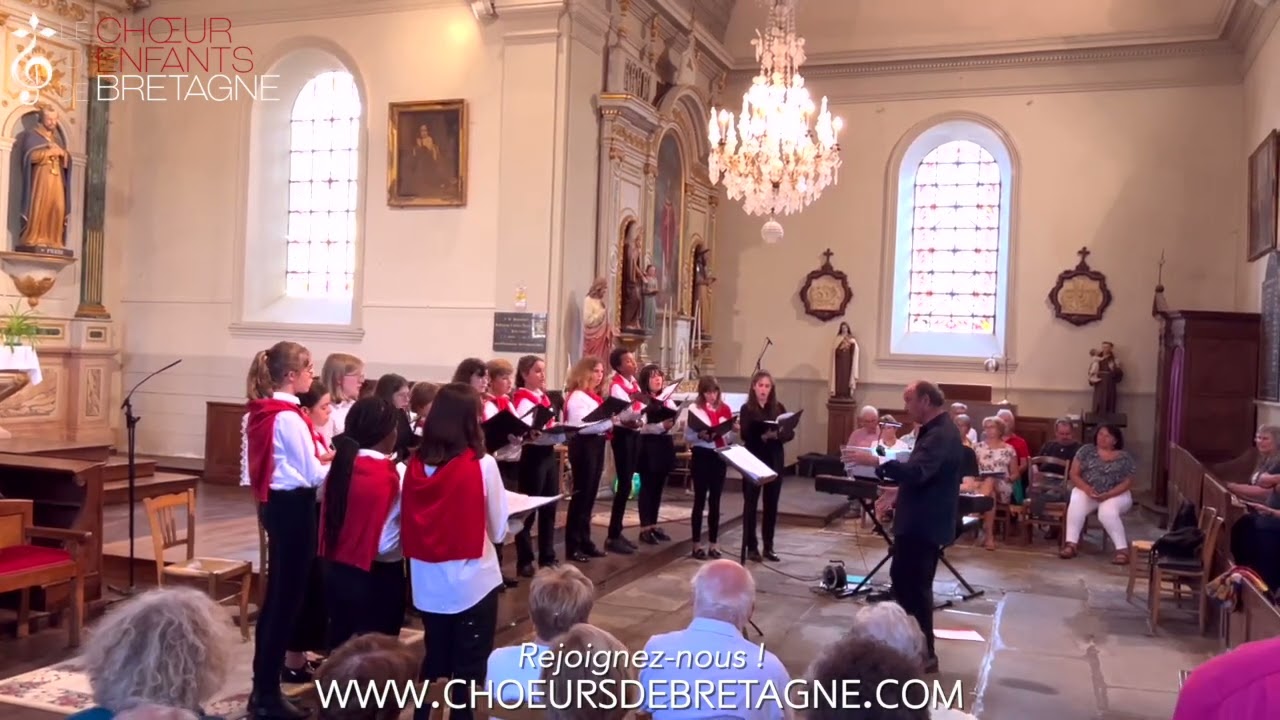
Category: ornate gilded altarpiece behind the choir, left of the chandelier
<point>653,175</point>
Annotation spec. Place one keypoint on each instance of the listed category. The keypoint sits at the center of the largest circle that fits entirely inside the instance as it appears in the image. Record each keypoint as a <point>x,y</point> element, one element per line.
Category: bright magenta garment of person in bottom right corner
<point>1242,685</point>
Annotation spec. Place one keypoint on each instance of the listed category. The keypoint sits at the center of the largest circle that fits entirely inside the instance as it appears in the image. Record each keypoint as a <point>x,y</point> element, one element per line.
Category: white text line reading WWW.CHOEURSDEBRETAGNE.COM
<point>633,695</point>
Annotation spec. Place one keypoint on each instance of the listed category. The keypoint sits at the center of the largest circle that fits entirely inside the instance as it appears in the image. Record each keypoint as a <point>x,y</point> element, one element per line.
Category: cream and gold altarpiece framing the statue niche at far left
<point>79,348</point>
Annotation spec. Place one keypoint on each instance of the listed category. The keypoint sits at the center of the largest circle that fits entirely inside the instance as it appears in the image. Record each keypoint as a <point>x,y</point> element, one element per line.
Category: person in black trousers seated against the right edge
<point>1256,536</point>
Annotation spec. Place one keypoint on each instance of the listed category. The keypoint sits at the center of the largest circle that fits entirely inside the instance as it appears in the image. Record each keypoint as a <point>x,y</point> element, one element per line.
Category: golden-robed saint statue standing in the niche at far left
<point>45,186</point>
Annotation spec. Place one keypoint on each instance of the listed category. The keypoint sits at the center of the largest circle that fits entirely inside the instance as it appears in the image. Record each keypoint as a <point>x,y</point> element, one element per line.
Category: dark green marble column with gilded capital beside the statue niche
<point>95,190</point>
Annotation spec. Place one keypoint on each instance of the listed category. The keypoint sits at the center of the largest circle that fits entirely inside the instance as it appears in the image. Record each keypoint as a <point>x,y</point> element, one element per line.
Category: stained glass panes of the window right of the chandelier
<point>956,241</point>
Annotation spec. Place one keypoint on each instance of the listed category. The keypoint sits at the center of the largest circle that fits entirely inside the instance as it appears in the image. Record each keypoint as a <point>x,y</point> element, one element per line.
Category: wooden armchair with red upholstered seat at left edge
<point>25,566</point>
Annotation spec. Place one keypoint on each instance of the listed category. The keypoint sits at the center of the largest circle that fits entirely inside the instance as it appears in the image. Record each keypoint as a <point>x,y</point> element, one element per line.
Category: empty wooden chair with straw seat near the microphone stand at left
<point>214,571</point>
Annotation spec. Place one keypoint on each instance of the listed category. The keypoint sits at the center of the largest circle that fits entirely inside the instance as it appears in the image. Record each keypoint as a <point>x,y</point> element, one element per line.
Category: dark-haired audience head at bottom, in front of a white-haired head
<point>884,673</point>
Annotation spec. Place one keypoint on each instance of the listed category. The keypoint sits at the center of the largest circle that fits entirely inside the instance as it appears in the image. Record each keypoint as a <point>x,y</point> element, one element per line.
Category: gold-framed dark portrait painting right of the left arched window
<point>428,154</point>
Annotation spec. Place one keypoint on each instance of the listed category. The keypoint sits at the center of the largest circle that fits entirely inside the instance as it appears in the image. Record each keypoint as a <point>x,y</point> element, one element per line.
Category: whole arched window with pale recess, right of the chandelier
<point>952,244</point>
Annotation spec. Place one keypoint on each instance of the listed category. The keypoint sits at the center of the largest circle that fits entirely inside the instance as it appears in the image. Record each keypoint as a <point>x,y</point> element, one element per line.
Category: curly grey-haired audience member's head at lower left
<point>168,648</point>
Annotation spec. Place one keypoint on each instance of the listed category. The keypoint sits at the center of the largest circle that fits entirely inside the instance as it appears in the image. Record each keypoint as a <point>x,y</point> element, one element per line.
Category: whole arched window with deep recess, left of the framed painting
<point>301,257</point>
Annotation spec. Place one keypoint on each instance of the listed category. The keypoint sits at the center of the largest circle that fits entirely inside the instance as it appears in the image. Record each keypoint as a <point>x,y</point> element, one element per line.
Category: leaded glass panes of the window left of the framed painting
<point>324,162</point>
